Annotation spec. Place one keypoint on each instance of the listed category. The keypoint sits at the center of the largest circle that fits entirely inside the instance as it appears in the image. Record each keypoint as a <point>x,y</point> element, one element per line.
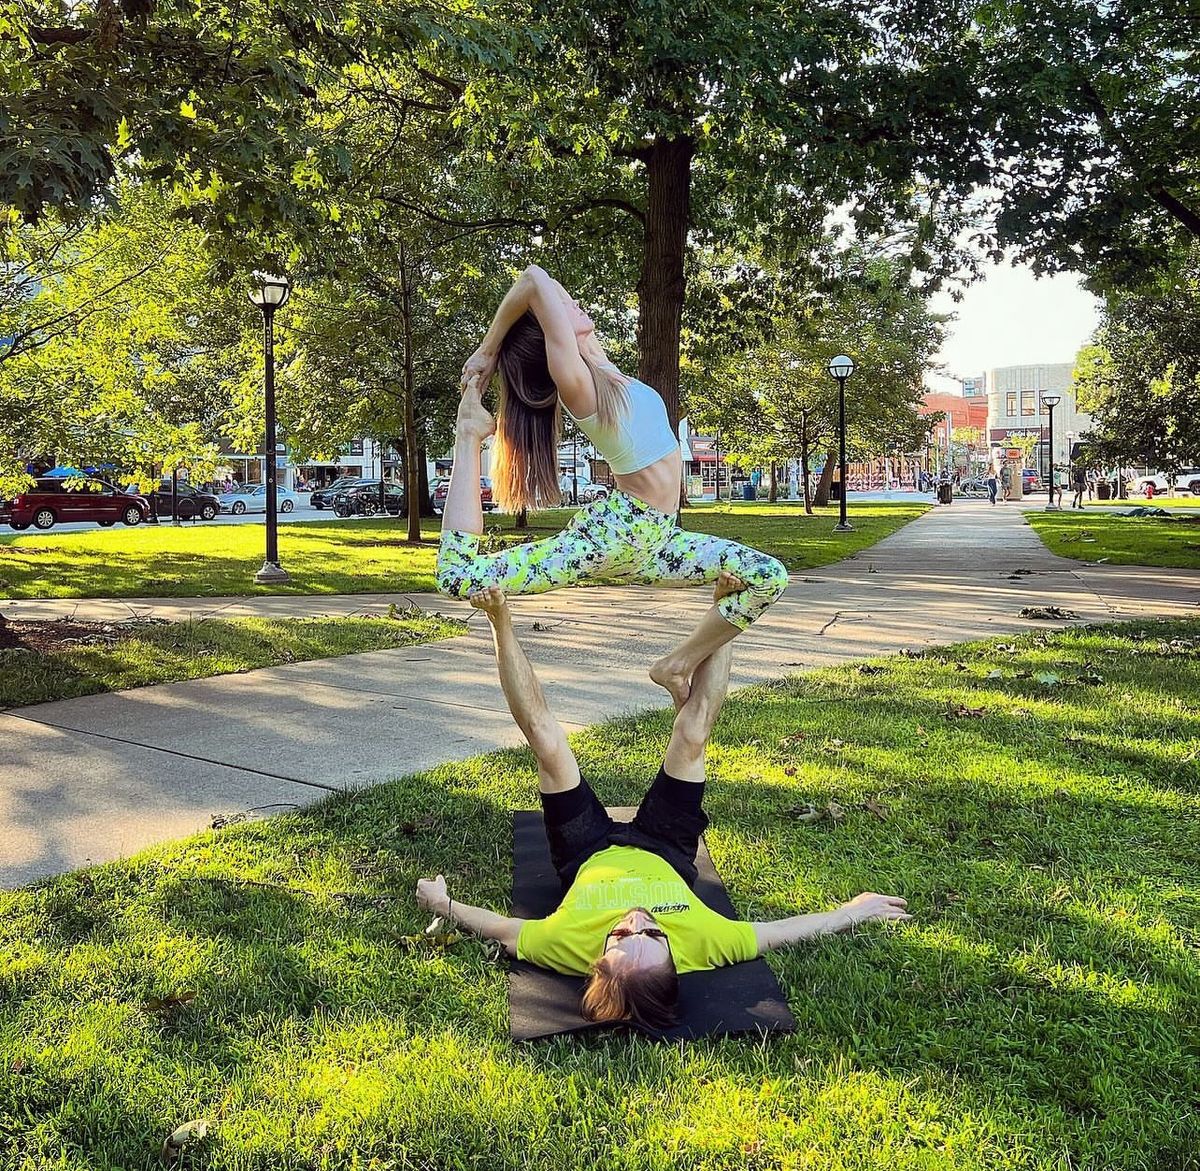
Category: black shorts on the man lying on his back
<point>669,824</point>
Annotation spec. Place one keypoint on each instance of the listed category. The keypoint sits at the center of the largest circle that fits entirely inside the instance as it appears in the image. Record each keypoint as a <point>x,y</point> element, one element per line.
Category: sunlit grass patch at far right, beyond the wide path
<point>1121,541</point>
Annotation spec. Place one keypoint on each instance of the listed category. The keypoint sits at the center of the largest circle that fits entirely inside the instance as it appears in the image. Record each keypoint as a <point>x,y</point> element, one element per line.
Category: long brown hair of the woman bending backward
<point>530,418</point>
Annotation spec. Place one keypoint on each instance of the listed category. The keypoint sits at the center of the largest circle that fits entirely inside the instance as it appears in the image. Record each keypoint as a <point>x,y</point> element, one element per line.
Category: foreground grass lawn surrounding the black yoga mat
<point>1035,802</point>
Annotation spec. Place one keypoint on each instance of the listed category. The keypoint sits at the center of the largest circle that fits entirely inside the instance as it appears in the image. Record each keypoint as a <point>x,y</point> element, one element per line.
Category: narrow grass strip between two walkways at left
<point>171,652</point>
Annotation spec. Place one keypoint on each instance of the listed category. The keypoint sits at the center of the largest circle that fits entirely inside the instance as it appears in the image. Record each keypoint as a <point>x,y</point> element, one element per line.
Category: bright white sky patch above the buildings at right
<point>1012,319</point>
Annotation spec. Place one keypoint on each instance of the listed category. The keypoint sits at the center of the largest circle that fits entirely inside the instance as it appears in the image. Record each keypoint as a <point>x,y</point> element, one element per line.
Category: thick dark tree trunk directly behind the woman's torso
<point>661,290</point>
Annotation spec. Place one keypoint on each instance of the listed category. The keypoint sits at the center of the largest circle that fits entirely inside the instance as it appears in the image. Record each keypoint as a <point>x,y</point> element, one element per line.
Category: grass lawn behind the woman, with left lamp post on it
<point>363,557</point>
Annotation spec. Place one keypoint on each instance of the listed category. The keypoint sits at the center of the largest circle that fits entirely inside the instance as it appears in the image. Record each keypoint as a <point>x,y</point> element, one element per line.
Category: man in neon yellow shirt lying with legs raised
<point>629,920</point>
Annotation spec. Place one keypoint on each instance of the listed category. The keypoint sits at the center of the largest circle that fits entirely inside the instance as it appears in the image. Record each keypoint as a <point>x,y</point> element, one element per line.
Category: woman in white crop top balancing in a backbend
<point>549,361</point>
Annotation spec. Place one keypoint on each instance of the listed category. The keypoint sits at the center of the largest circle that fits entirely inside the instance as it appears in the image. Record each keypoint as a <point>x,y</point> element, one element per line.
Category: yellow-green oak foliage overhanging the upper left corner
<point>223,100</point>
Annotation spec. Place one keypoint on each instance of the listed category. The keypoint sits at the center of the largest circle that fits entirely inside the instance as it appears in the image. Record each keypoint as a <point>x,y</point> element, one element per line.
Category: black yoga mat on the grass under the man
<point>740,999</point>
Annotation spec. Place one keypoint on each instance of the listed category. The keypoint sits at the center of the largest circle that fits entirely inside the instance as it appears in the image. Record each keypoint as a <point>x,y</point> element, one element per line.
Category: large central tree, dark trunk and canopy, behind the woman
<point>717,121</point>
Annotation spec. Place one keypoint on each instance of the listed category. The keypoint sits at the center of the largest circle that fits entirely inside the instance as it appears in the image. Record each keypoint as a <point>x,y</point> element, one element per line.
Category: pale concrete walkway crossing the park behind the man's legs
<point>99,778</point>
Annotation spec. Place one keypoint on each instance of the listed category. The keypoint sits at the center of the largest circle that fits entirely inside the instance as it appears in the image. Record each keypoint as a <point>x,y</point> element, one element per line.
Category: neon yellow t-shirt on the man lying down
<point>607,888</point>
